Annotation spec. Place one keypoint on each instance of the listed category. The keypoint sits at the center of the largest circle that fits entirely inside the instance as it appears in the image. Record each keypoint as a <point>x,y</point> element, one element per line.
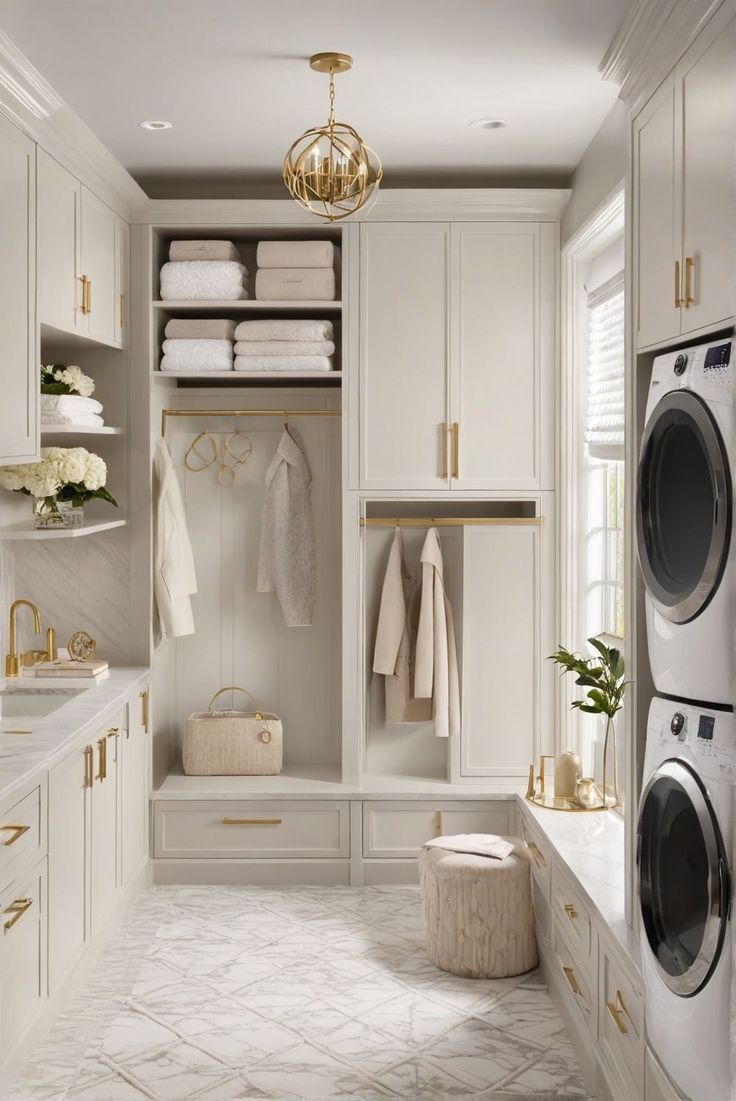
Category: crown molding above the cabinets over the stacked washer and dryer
<point>652,40</point>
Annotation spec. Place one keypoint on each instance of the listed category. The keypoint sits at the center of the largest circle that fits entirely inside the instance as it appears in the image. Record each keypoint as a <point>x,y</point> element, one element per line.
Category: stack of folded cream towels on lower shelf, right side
<point>294,345</point>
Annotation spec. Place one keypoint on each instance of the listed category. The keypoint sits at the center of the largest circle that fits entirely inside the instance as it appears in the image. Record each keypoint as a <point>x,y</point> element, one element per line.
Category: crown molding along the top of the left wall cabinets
<point>30,102</point>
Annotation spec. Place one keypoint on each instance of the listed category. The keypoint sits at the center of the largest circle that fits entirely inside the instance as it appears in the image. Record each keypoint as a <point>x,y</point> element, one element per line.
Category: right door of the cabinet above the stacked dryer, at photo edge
<point>709,112</point>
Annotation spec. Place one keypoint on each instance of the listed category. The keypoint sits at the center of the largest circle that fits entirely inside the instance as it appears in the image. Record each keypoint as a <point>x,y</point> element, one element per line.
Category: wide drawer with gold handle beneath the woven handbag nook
<point>289,830</point>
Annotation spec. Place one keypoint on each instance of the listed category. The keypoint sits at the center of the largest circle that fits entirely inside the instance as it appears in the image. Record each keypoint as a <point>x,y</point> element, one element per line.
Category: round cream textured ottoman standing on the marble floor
<point>479,912</point>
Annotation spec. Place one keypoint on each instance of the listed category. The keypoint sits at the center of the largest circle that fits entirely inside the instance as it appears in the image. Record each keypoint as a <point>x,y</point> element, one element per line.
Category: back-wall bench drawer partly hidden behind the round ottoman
<point>401,830</point>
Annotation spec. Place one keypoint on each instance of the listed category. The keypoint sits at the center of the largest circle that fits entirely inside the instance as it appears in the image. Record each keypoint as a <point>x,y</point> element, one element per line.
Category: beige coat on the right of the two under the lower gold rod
<point>436,674</point>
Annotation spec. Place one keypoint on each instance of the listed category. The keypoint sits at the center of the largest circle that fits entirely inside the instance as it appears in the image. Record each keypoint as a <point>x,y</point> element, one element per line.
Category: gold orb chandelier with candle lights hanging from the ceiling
<point>330,171</point>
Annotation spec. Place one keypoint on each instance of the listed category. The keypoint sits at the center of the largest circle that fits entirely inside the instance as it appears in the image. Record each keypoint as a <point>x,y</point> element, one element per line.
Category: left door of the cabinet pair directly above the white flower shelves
<point>59,246</point>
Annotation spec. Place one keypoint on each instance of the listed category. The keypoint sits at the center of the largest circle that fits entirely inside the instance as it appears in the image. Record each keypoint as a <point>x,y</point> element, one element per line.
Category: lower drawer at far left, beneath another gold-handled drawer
<point>23,954</point>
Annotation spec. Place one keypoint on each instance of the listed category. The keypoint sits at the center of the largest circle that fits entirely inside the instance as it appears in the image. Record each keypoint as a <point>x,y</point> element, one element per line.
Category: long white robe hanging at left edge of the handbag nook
<point>175,579</point>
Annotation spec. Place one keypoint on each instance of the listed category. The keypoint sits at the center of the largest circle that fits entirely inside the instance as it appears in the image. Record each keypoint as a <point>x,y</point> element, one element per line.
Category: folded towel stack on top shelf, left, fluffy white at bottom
<point>207,271</point>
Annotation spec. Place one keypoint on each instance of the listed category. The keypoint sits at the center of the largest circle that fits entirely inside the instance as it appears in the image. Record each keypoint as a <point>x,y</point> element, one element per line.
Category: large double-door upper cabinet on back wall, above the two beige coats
<point>457,356</point>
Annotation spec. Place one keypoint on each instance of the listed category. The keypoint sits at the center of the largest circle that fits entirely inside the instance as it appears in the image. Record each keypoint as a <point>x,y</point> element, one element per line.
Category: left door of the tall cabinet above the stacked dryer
<point>656,202</point>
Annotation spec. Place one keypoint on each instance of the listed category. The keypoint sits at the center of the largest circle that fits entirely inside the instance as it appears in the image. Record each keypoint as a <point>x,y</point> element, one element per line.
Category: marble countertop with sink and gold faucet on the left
<point>33,744</point>
